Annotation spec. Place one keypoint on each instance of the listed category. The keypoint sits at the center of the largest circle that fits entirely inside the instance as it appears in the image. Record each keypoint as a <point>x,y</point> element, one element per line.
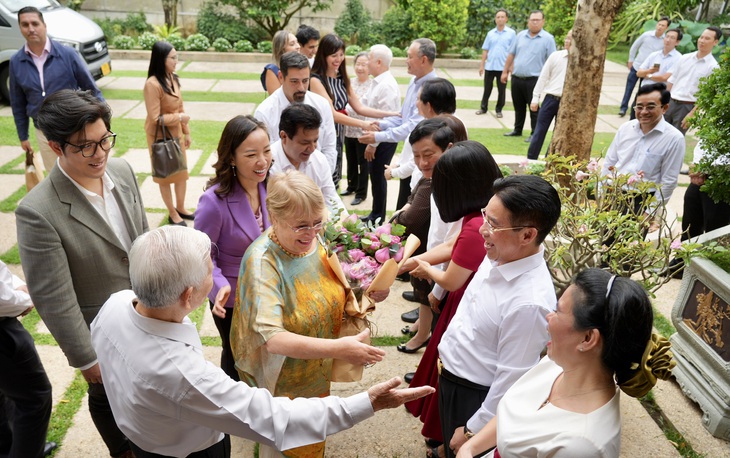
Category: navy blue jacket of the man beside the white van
<point>63,69</point>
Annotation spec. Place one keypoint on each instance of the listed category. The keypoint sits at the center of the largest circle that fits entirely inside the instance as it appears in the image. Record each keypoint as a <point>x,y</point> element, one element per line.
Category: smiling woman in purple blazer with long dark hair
<point>232,211</point>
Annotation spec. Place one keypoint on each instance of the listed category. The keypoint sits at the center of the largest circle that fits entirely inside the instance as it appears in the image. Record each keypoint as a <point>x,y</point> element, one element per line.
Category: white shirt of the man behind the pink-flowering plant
<point>659,154</point>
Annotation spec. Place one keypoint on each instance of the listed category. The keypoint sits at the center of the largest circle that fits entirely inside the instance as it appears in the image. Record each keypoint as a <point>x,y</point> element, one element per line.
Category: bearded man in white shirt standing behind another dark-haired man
<point>294,78</point>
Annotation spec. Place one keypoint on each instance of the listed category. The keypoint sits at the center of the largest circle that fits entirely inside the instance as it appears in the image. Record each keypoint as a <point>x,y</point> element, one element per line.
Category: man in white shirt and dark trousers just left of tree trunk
<point>550,82</point>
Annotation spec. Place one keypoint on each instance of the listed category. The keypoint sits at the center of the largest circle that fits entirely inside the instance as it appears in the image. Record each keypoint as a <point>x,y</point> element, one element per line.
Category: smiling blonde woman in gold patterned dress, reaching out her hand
<point>289,305</point>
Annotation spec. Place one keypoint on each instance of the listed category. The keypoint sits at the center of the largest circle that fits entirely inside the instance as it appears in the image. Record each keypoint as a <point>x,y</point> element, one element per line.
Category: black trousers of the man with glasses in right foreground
<point>458,399</point>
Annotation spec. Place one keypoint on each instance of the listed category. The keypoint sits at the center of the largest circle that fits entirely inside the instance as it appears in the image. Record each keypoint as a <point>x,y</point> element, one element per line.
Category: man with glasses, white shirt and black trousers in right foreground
<point>500,326</point>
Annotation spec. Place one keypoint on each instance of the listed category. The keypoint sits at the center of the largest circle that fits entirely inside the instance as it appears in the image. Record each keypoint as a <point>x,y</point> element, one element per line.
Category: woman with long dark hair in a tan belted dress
<point>162,98</point>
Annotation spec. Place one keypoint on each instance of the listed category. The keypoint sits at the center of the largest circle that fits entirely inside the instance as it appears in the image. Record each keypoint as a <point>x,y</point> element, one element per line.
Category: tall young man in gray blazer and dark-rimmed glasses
<point>75,230</point>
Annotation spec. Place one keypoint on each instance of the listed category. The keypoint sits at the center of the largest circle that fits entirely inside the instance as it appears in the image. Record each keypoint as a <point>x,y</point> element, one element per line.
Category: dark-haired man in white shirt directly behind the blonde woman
<point>296,149</point>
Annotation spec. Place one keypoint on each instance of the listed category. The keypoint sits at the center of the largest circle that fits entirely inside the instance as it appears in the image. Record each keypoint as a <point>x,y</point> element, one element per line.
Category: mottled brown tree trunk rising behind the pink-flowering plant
<point>576,121</point>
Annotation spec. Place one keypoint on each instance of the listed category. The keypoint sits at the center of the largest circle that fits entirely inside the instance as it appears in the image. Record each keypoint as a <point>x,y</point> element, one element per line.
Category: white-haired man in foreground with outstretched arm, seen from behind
<point>167,398</point>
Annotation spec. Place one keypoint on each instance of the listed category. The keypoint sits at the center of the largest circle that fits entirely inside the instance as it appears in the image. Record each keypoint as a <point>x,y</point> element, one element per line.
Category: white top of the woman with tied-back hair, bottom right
<point>526,429</point>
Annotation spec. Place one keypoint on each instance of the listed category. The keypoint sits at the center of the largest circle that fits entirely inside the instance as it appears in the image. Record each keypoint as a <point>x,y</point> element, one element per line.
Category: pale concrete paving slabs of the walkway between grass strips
<point>393,433</point>
